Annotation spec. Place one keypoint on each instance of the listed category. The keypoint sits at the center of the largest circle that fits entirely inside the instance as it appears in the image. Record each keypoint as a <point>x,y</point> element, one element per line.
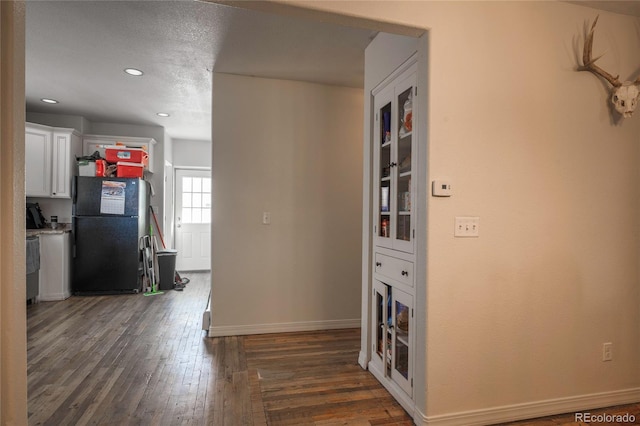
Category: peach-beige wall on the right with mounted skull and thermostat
<point>519,315</point>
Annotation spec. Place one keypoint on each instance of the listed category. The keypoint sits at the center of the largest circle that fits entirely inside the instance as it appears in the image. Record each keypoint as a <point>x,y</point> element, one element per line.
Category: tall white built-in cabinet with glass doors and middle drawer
<point>393,242</point>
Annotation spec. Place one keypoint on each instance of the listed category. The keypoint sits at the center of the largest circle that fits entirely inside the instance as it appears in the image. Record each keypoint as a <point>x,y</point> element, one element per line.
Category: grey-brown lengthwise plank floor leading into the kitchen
<point>124,359</point>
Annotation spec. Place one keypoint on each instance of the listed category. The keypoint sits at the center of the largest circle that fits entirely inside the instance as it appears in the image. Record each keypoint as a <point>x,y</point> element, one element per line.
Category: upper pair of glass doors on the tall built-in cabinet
<point>394,160</point>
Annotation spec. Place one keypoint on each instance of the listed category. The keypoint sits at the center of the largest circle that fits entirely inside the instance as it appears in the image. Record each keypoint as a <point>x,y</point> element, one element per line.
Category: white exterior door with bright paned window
<point>193,219</point>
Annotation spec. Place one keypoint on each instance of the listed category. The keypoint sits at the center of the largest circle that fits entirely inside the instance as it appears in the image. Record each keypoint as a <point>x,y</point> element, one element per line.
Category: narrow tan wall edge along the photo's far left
<point>13,334</point>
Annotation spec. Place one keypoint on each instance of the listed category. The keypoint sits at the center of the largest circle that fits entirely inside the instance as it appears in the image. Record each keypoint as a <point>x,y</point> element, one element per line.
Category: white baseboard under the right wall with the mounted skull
<point>530,410</point>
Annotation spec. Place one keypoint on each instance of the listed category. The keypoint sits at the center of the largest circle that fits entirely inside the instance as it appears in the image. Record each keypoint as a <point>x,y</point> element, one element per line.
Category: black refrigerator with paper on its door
<point>109,217</point>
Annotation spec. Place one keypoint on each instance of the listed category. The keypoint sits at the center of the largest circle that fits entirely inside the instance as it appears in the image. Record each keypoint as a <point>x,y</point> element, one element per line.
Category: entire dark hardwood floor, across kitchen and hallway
<point>144,360</point>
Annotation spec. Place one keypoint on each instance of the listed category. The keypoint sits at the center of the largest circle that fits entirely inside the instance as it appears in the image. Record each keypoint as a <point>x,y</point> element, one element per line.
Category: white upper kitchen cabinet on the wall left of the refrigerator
<point>50,160</point>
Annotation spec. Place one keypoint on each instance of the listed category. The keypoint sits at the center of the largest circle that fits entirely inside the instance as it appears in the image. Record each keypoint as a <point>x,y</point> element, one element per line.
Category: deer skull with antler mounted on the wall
<point>624,95</point>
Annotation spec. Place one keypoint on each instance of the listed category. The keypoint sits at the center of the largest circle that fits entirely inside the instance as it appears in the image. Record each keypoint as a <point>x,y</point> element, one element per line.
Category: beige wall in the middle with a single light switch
<point>293,149</point>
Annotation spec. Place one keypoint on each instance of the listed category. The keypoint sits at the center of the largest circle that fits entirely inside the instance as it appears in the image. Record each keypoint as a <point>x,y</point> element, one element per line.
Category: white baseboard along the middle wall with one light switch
<point>282,327</point>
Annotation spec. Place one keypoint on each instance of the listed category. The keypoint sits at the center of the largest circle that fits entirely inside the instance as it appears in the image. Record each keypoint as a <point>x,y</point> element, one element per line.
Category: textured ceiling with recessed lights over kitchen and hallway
<point>76,52</point>
